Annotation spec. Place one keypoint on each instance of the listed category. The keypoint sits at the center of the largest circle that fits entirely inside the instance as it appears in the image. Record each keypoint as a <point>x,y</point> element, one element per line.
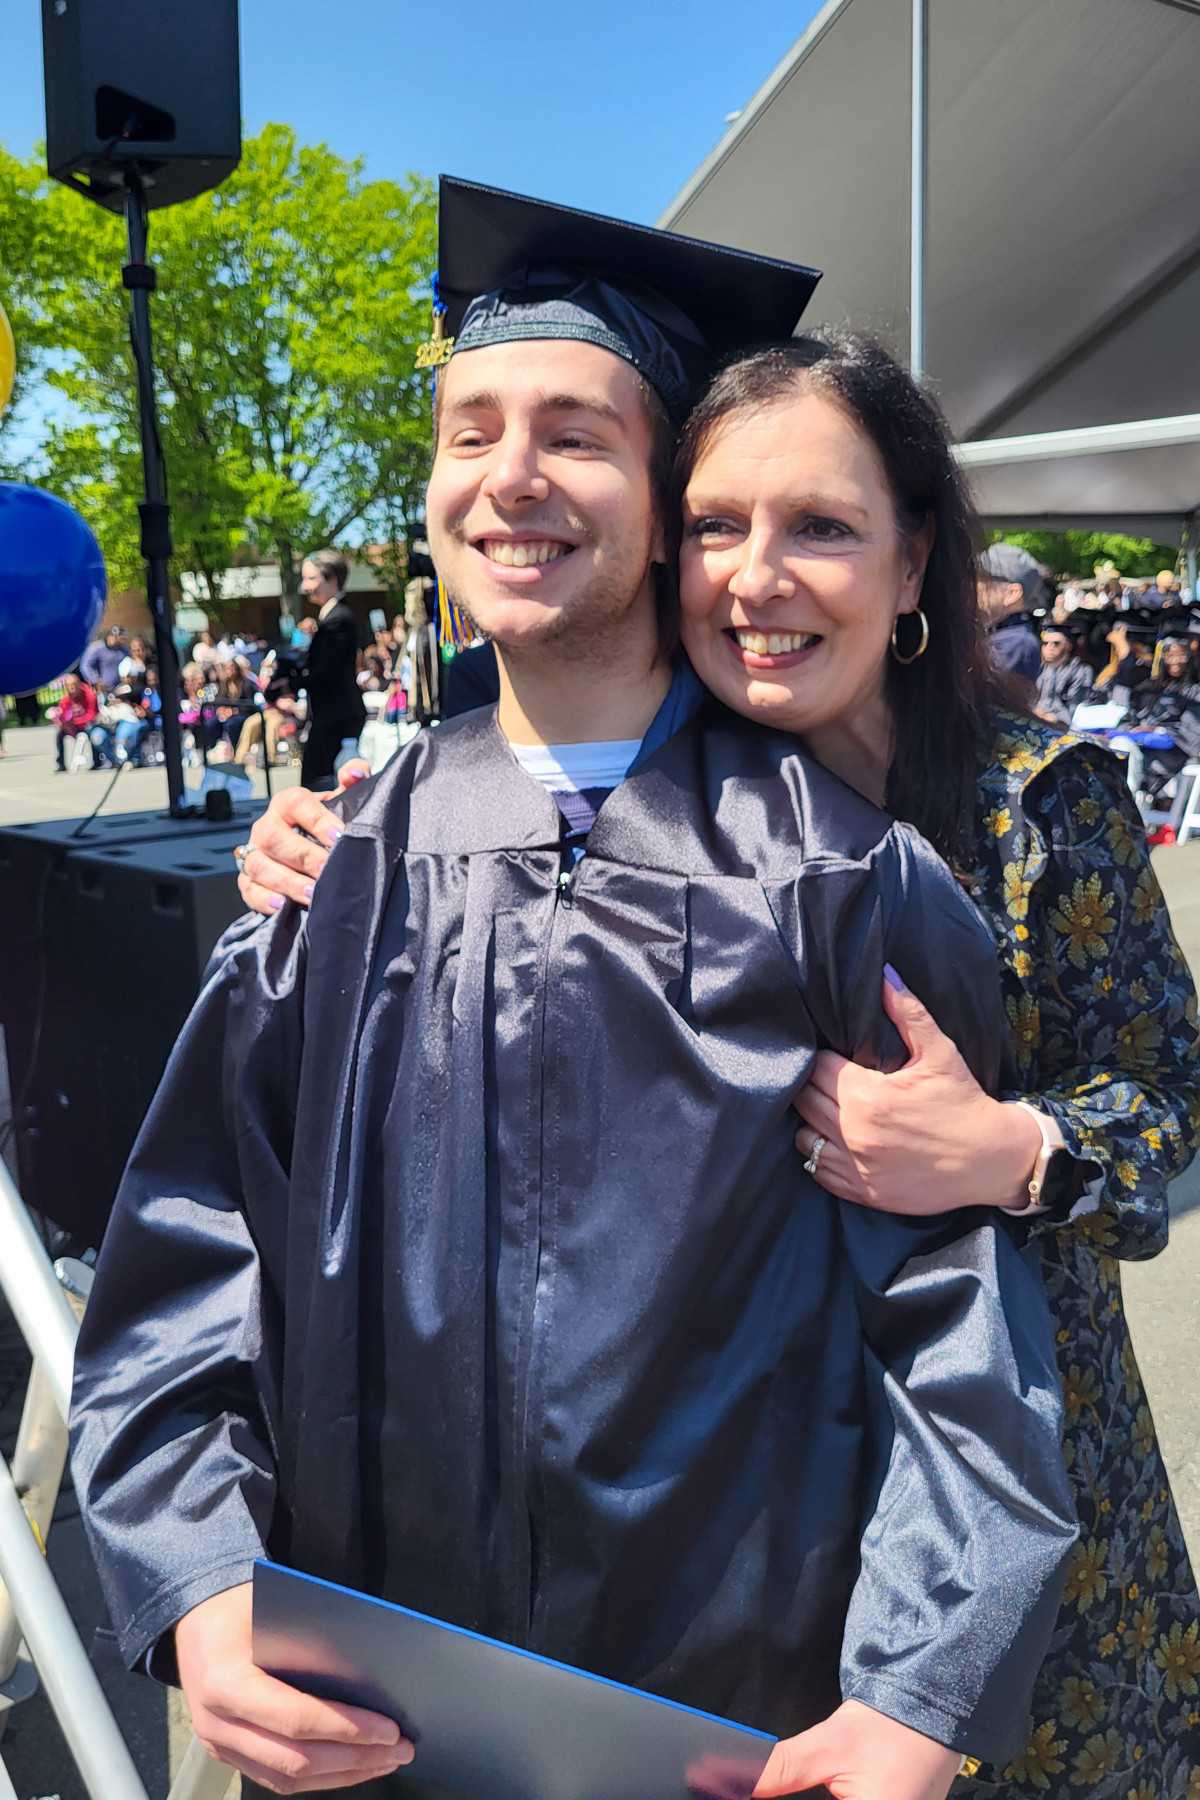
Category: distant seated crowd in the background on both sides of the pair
<point>1134,645</point>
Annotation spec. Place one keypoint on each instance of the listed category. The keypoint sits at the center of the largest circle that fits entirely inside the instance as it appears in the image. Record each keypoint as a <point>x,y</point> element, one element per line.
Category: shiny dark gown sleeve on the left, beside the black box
<point>174,1450</point>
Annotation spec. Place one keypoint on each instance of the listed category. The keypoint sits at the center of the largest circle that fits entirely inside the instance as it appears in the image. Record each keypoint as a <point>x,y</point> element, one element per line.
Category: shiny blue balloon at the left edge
<point>53,588</point>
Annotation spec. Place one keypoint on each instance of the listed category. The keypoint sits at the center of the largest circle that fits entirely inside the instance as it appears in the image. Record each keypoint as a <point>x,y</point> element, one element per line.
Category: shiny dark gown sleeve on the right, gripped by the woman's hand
<point>965,1549</point>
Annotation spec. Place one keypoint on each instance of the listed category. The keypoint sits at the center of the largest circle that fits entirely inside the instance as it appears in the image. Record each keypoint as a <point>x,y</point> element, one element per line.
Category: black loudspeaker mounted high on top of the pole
<point>148,84</point>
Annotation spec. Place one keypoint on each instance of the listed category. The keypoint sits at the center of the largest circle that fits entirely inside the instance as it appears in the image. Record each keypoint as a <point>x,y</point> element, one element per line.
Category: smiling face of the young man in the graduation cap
<point>541,508</point>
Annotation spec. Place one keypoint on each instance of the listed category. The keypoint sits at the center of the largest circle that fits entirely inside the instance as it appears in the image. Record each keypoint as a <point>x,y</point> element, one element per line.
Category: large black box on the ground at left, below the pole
<point>105,942</point>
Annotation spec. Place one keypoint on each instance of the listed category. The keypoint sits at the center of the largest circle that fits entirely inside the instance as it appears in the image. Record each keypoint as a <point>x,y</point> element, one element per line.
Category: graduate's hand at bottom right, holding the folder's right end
<point>859,1754</point>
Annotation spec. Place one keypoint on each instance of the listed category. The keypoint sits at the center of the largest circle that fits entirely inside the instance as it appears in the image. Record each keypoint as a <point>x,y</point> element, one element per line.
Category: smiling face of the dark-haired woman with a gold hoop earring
<point>793,566</point>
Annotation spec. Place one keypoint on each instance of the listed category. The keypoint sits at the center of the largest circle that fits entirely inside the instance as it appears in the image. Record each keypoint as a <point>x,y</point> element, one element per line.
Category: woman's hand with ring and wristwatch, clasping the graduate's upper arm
<point>922,1140</point>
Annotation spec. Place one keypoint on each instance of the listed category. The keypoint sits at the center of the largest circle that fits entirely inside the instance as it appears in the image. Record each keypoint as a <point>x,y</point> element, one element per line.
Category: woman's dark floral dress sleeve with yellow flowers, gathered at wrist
<point>1106,1027</point>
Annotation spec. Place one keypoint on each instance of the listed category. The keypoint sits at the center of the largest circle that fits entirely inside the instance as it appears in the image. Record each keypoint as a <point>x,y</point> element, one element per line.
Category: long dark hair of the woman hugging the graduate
<point>944,701</point>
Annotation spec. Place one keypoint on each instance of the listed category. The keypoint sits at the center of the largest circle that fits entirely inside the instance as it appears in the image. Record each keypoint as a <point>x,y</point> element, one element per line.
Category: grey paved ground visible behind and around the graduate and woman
<point>1163,1302</point>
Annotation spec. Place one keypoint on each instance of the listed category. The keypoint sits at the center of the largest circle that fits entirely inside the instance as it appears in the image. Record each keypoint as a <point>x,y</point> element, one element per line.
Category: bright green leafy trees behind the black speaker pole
<point>291,305</point>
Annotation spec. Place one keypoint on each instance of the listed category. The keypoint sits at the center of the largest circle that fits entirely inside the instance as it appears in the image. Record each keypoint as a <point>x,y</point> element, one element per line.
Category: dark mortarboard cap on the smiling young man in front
<point>514,269</point>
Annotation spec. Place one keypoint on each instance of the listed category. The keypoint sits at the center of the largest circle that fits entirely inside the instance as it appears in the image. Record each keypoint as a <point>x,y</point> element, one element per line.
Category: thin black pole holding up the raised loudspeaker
<point>141,280</point>
